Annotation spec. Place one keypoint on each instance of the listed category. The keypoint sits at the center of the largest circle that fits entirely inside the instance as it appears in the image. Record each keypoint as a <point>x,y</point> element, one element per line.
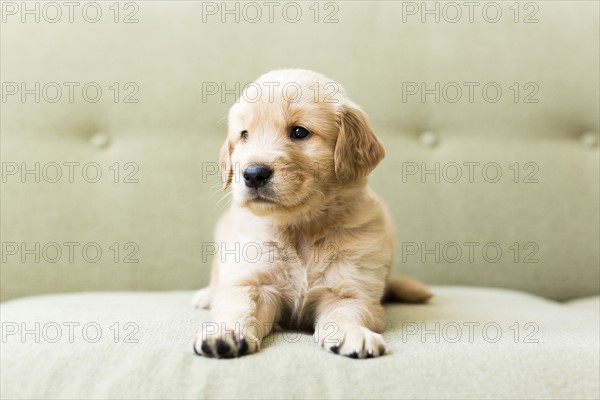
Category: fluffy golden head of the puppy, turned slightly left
<point>295,138</point>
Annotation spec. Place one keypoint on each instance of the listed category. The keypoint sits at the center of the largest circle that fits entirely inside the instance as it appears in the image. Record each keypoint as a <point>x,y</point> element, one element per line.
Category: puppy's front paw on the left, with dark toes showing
<point>227,343</point>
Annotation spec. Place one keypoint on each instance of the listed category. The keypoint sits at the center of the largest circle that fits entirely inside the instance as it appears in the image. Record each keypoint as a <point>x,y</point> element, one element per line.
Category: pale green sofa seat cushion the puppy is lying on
<point>466,343</point>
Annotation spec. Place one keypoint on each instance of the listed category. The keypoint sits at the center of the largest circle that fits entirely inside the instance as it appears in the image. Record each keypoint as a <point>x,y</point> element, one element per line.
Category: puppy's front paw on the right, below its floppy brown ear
<point>355,342</point>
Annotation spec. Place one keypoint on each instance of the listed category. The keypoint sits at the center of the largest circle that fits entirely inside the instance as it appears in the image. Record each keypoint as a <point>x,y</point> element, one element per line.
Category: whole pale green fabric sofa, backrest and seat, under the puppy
<point>111,118</point>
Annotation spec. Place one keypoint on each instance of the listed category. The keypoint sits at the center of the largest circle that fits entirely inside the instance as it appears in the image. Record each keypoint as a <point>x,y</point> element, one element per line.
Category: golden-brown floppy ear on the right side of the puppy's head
<point>357,150</point>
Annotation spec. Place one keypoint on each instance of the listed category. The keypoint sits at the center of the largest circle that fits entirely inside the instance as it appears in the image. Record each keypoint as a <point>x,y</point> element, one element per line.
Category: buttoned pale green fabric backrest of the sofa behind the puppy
<point>169,140</point>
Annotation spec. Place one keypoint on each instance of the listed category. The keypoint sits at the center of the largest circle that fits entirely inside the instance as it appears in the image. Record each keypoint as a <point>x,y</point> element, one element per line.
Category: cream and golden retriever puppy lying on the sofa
<point>305,243</point>
